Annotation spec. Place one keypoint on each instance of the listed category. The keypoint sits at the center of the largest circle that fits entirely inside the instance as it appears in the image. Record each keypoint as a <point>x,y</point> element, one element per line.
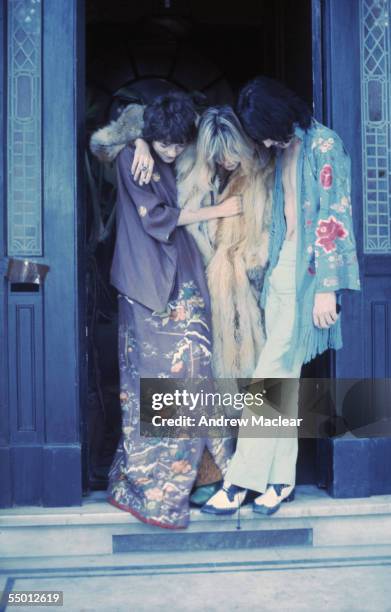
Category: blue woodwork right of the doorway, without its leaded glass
<point>354,467</point>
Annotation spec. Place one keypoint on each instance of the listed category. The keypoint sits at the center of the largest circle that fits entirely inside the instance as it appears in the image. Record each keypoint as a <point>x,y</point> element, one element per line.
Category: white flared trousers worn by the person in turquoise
<point>259,461</point>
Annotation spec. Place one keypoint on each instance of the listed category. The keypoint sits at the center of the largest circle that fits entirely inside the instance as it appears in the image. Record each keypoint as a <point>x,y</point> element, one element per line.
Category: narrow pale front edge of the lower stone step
<point>138,562</point>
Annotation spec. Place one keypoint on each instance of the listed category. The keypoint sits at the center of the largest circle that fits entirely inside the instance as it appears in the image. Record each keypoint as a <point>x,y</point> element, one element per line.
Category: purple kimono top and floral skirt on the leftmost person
<point>164,331</point>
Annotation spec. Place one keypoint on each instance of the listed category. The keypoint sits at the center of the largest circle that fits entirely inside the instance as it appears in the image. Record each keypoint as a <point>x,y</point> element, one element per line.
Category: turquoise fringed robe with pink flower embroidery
<point>326,249</point>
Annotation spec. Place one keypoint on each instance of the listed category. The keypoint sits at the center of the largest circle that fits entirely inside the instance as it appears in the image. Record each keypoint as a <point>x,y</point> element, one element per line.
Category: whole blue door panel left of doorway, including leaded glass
<point>40,335</point>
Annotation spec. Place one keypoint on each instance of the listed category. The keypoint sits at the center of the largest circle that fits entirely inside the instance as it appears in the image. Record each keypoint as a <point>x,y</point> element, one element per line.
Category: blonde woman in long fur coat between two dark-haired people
<point>224,165</point>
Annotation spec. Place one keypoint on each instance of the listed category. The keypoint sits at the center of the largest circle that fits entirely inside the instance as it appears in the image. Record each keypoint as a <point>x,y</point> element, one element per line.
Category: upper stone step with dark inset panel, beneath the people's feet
<point>97,528</point>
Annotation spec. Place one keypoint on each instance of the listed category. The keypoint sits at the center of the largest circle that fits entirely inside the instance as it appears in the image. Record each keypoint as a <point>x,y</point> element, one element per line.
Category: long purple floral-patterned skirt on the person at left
<point>152,477</point>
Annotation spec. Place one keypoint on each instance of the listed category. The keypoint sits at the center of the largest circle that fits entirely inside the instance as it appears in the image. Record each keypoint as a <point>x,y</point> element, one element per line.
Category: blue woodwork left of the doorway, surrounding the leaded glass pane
<point>41,333</point>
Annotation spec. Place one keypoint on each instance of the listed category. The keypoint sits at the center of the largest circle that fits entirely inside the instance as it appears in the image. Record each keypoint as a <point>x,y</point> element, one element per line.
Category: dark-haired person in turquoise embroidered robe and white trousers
<point>312,260</point>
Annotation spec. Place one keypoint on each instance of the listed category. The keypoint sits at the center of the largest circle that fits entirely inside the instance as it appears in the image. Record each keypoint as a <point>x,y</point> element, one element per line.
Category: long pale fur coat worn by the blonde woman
<point>234,248</point>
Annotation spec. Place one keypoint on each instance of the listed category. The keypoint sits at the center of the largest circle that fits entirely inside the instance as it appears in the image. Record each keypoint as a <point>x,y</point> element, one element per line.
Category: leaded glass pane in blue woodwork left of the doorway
<point>24,137</point>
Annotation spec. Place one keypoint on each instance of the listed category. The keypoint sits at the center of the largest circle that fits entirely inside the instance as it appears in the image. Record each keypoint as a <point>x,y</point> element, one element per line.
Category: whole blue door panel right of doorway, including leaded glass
<point>356,68</point>
